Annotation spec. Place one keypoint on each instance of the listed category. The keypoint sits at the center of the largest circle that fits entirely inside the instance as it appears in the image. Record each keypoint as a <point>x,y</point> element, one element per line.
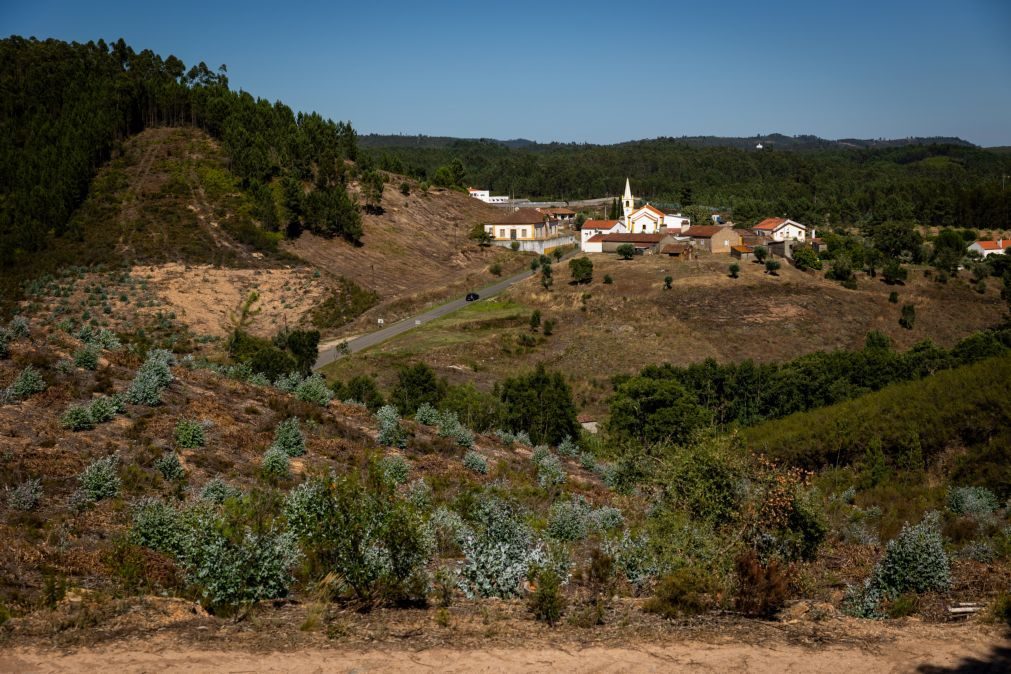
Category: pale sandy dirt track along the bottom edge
<point>163,657</point>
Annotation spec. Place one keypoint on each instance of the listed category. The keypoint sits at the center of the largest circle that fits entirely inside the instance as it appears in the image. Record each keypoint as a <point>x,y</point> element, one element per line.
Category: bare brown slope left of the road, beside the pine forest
<point>416,253</point>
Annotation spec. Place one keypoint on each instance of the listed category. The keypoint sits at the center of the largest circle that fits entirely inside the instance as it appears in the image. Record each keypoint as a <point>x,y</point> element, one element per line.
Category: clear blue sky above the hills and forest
<point>590,71</point>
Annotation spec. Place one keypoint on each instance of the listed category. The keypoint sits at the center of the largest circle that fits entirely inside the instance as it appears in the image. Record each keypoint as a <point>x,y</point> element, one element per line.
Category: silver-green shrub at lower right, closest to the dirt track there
<point>914,561</point>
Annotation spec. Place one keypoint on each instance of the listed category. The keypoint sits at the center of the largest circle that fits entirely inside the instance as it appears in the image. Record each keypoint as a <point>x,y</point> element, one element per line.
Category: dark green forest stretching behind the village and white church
<point>941,184</point>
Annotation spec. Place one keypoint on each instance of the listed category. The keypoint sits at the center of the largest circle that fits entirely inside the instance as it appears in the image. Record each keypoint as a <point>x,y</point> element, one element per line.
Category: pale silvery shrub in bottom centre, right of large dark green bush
<point>499,556</point>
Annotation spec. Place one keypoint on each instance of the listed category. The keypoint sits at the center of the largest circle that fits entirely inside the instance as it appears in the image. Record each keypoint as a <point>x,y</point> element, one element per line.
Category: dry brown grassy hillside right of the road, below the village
<point>602,330</point>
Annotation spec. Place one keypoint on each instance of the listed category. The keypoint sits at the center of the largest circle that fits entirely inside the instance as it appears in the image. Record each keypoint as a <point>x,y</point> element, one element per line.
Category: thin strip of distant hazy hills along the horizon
<point>773,141</point>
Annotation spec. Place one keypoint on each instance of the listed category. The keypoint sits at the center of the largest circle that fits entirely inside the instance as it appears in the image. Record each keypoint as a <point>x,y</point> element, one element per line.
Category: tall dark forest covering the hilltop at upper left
<point>66,108</point>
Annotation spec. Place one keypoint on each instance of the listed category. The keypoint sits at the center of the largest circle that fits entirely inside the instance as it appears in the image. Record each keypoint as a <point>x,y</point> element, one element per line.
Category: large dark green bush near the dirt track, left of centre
<point>362,532</point>
